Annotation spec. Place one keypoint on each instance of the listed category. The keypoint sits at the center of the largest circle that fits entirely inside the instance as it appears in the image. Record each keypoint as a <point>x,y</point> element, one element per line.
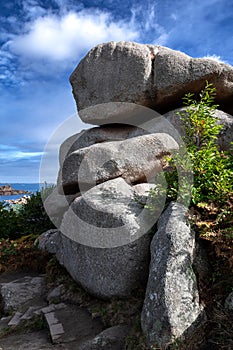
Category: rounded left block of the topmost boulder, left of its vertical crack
<point>113,72</point>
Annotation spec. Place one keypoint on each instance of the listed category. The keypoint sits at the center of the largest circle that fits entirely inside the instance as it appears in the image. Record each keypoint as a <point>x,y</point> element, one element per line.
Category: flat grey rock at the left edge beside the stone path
<point>17,294</point>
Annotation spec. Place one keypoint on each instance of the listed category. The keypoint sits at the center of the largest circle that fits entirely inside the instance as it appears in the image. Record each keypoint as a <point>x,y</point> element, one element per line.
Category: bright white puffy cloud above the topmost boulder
<point>65,38</point>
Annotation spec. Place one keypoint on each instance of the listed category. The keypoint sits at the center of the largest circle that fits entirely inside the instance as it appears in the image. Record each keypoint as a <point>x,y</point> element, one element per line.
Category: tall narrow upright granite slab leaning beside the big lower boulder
<point>171,307</point>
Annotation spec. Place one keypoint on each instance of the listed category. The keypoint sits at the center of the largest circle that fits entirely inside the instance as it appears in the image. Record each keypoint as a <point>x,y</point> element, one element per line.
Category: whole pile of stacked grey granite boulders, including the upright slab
<point>106,238</point>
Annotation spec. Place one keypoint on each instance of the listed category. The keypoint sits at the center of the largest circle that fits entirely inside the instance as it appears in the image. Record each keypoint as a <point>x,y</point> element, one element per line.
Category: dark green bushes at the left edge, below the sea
<point>29,218</point>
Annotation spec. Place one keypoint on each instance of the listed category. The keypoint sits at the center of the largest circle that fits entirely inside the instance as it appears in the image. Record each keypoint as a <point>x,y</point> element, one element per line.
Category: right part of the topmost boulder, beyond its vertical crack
<point>176,74</point>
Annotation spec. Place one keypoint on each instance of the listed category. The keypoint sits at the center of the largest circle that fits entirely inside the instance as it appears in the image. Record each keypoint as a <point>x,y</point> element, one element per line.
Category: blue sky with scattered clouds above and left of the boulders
<point>41,42</point>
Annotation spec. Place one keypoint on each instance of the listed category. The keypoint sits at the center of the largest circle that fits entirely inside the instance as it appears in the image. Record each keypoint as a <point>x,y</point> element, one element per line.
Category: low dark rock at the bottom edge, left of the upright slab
<point>112,338</point>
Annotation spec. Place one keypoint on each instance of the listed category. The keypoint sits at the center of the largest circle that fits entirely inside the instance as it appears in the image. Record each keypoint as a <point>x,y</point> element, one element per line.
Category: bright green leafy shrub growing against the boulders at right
<point>200,157</point>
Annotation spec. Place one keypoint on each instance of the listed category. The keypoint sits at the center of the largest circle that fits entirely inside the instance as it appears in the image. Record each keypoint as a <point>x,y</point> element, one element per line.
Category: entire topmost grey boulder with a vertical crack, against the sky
<point>152,76</point>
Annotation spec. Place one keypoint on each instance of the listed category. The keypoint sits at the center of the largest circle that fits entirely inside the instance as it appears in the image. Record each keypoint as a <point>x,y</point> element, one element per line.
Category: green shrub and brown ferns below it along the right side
<point>210,211</point>
